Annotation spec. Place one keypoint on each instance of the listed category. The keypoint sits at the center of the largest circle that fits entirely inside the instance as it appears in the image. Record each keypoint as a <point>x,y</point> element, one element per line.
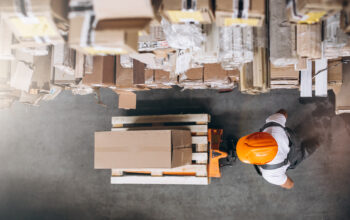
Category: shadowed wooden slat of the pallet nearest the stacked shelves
<point>198,118</point>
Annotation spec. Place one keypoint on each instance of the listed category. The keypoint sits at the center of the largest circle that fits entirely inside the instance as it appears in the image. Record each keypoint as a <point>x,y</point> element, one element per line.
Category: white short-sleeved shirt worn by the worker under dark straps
<point>277,176</point>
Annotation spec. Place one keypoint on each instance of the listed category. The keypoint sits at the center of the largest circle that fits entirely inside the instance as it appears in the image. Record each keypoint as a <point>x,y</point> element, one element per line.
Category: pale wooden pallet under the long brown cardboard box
<point>194,174</point>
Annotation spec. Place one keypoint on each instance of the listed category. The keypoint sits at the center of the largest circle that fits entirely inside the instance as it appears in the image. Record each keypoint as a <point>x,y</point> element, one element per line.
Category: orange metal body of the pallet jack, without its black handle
<point>215,140</point>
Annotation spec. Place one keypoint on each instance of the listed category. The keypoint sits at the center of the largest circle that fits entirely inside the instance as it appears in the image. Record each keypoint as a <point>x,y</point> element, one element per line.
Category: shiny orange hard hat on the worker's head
<point>258,148</point>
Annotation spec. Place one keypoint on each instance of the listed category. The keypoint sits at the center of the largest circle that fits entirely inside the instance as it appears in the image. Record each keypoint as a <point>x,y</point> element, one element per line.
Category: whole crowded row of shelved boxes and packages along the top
<point>47,46</point>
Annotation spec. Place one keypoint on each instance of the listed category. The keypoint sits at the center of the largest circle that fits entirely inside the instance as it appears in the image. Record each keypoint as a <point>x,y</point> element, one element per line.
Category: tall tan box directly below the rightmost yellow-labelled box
<point>309,40</point>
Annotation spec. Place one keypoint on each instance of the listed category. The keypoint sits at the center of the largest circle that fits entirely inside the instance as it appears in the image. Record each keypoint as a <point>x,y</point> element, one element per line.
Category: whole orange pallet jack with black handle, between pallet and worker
<point>215,140</point>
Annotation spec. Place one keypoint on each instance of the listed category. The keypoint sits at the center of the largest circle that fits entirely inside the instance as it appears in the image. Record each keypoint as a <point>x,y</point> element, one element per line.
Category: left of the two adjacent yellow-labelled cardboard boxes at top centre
<point>179,11</point>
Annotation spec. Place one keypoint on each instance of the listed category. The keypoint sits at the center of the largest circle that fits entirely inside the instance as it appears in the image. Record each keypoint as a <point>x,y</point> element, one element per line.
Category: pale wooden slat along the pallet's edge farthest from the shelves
<point>176,180</point>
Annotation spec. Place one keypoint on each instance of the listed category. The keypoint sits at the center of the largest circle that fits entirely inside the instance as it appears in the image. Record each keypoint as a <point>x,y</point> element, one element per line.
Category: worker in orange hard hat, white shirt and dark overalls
<point>271,150</point>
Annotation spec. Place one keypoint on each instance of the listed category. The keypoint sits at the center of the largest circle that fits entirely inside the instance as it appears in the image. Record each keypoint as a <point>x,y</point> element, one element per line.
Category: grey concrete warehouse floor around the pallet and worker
<point>46,161</point>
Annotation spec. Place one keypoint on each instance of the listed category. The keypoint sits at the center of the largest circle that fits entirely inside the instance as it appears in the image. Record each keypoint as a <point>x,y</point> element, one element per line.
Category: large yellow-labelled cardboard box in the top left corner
<point>32,22</point>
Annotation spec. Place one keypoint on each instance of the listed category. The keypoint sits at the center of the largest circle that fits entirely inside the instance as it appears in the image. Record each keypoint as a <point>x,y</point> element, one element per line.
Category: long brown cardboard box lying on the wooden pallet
<point>158,149</point>
